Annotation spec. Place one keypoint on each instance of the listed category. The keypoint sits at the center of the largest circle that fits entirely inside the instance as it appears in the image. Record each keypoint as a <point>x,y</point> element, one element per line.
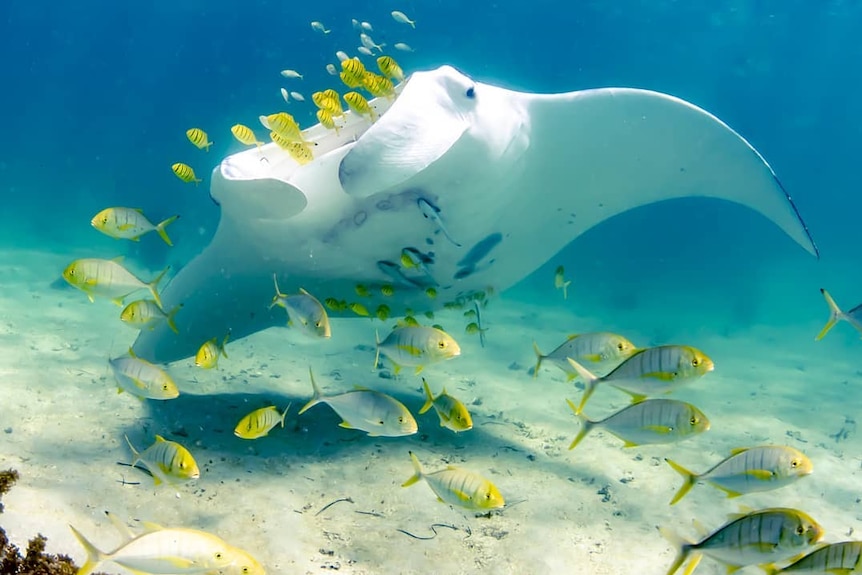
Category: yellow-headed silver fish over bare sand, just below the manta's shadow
<point>458,487</point>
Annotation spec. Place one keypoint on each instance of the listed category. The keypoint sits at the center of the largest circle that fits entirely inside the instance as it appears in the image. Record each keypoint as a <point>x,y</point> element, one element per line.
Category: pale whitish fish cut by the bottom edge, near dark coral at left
<point>172,551</point>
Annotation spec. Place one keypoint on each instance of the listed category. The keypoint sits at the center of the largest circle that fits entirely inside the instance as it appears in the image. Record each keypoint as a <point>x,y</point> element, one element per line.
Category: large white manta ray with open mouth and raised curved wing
<point>459,186</point>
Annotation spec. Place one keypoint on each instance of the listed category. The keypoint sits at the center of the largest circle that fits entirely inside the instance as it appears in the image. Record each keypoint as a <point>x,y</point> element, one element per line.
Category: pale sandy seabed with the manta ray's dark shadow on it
<point>591,510</point>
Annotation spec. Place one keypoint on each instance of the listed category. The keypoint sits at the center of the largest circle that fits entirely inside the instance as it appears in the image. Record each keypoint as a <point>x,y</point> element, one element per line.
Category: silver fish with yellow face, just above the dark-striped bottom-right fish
<point>749,470</point>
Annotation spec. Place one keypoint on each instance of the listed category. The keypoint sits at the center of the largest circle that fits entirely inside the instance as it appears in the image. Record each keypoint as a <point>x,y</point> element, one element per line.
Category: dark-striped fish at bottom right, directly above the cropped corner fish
<point>764,536</point>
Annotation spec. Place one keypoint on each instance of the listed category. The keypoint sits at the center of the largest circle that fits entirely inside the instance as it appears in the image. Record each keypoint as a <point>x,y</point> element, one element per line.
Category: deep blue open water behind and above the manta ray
<point>97,97</point>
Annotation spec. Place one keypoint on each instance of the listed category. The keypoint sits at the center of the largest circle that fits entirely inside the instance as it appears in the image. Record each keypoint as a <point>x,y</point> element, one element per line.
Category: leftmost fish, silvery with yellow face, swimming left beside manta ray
<point>108,278</point>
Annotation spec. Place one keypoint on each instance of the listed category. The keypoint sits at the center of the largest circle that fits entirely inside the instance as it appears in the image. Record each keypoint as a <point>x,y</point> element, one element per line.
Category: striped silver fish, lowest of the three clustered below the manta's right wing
<point>653,421</point>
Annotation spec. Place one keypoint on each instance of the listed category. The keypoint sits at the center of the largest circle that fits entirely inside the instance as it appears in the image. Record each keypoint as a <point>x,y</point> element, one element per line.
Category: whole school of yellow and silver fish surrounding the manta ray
<point>600,360</point>
